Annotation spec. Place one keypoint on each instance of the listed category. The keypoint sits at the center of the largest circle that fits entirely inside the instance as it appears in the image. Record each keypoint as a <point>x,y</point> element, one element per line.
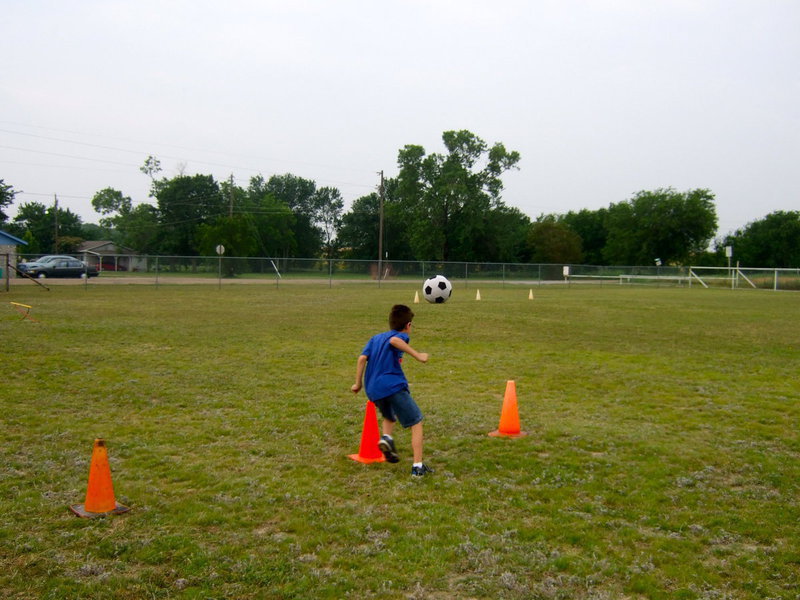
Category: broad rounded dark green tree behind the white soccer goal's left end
<point>663,223</point>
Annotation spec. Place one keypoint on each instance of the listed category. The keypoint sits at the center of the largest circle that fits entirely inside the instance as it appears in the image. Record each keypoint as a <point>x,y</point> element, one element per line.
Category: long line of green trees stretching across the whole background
<point>441,206</point>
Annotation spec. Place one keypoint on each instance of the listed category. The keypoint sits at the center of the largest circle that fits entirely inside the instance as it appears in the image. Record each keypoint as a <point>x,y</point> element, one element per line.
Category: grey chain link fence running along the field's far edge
<point>279,271</point>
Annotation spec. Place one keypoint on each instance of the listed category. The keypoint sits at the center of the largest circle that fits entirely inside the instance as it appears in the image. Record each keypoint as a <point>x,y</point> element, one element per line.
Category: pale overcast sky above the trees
<point>601,98</point>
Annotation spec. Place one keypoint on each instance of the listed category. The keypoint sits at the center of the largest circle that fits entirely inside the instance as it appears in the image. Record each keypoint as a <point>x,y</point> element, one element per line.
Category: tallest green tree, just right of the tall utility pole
<point>450,195</point>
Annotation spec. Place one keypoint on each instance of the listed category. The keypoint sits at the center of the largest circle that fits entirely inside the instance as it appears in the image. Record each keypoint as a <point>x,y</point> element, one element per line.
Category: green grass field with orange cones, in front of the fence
<point>661,460</point>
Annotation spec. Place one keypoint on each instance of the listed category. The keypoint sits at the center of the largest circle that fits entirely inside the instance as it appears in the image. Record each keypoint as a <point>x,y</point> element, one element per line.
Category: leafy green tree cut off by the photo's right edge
<point>773,241</point>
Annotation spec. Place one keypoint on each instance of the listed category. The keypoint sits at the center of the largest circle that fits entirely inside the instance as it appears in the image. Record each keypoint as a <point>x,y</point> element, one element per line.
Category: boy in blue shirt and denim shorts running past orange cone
<point>387,387</point>
